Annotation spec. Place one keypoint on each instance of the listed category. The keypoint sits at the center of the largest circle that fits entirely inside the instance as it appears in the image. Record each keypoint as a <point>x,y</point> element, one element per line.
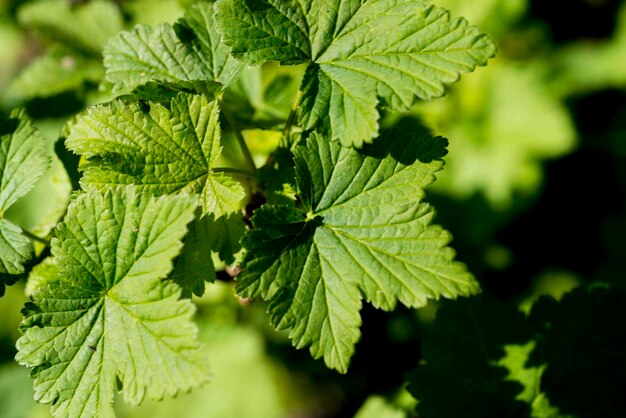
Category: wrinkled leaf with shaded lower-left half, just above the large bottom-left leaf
<point>161,149</point>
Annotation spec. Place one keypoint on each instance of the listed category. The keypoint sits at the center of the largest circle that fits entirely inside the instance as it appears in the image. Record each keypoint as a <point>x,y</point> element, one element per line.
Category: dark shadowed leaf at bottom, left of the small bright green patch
<point>461,376</point>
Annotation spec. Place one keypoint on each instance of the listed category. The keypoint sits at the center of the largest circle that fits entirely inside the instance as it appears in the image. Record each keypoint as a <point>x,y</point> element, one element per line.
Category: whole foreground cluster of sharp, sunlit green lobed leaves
<point>163,206</point>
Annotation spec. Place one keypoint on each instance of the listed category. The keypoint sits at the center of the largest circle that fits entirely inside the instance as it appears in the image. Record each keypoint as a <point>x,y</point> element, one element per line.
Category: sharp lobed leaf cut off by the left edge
<point>23,160</point>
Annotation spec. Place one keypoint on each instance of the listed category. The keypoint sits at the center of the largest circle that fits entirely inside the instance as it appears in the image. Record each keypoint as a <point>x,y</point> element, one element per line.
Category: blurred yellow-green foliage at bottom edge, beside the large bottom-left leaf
<point>248,382</point>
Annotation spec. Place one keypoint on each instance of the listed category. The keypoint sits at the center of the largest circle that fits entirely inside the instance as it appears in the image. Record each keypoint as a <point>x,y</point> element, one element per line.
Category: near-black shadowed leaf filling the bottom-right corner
<point>580,342</point>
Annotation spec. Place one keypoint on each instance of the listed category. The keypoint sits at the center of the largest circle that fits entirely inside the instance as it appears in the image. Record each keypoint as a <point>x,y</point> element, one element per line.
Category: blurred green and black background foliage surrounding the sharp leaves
<point>534,192</point>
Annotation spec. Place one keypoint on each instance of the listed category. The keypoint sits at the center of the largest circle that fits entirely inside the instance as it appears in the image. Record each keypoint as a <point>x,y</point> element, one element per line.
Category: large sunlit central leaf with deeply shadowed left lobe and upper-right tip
<point>363,232</point>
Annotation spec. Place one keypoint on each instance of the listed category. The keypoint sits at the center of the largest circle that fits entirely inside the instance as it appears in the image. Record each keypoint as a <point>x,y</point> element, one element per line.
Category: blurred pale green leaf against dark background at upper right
<point>505,123</point>
